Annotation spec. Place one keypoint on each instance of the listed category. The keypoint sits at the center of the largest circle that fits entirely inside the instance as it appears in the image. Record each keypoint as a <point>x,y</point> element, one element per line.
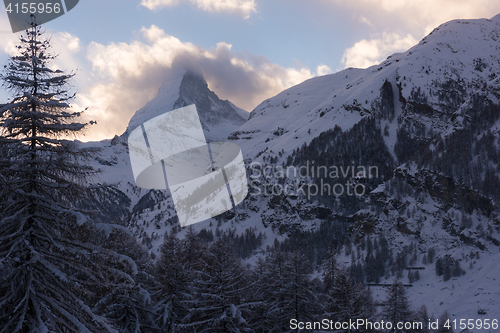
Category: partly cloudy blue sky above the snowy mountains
<point>248,50</point>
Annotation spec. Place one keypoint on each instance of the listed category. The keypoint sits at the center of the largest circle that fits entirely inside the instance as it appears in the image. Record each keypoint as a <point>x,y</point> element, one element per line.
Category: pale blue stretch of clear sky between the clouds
<point>286,32</point>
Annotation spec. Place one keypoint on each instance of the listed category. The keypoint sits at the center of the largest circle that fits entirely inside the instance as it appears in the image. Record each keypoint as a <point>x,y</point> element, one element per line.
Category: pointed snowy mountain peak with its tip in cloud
<point>181,88</point>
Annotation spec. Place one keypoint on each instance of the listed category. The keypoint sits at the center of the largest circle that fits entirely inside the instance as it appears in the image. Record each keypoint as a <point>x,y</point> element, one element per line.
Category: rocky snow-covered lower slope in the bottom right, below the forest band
<point>432,221</point>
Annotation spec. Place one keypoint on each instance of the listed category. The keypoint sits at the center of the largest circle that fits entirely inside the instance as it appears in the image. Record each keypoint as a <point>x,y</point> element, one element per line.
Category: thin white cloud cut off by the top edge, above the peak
<point>239,7</point>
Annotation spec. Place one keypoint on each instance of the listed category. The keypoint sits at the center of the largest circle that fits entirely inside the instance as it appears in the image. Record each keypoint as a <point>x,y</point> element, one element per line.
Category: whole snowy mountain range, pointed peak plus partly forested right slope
<point>408,112</point>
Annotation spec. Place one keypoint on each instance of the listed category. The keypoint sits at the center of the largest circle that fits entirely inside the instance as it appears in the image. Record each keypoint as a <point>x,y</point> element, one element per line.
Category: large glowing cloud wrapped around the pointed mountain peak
<point>125,76</point>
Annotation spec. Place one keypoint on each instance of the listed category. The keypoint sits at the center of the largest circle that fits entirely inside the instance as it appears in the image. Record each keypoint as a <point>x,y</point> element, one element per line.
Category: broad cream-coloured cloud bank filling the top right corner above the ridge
<point>401,23</point>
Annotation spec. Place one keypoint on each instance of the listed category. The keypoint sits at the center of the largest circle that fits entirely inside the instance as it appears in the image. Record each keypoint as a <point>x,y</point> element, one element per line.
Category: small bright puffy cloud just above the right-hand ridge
<point>366,53</point>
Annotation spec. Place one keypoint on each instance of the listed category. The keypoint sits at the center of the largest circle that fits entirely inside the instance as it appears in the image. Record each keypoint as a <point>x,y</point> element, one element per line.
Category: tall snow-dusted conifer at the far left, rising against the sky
<point>51,269</point>
